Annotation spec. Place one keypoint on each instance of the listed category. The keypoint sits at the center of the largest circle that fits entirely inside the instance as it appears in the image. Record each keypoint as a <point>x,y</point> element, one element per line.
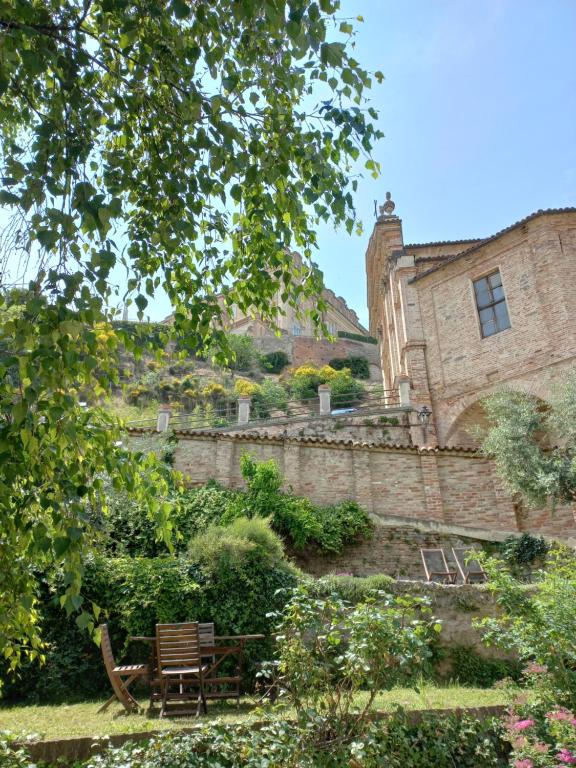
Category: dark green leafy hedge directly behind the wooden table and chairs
<point>136,593</point>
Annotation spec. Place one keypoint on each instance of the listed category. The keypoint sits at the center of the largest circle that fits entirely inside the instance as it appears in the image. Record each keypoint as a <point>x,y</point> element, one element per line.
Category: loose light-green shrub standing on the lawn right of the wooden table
<point>329,650</point>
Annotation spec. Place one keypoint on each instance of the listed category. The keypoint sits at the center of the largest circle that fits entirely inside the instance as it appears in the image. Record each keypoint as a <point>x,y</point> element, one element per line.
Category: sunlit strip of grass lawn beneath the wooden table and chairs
<point>67,720</point>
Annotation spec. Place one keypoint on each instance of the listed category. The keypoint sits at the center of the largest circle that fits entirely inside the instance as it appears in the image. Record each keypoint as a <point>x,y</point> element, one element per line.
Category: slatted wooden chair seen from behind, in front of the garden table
<point>180,666</point>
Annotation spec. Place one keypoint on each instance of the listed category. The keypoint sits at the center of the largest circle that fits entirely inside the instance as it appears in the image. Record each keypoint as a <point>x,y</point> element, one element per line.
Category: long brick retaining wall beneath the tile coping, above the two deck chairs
<point>447,486</point>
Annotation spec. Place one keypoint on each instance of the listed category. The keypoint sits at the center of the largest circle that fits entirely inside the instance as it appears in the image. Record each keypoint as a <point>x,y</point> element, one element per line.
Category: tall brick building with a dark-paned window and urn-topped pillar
<point>460,318</point>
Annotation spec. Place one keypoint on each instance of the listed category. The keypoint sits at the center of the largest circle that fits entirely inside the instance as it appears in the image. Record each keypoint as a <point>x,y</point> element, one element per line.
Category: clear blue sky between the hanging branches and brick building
<point>479,114</point>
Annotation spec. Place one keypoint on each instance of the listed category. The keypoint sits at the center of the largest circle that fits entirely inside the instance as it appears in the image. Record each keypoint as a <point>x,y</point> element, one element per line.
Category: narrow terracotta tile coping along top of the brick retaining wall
<point>264,437</point>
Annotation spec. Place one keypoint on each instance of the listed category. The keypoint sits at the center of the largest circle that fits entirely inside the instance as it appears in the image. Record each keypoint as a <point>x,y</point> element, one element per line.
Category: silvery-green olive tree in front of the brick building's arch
<point>518,439</point>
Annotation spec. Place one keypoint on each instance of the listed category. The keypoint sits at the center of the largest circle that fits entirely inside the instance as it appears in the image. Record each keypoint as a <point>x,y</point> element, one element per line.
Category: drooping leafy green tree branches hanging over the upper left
<point>186,144</point>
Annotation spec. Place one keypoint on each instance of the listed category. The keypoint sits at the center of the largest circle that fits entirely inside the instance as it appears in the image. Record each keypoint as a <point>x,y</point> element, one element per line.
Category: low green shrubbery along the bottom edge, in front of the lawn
<point>441,740</point>
